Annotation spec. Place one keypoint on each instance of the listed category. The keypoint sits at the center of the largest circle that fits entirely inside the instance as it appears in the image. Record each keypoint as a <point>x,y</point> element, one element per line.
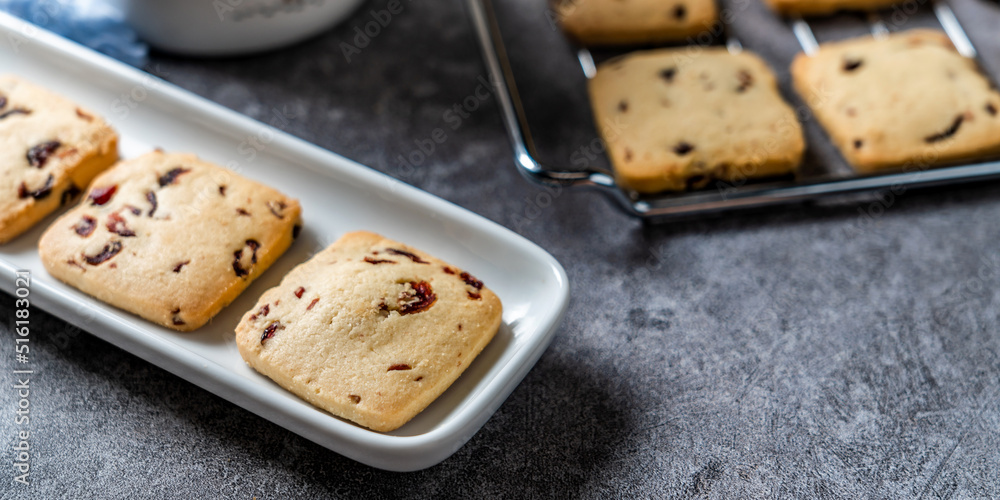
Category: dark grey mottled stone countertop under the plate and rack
<point>801,352</point>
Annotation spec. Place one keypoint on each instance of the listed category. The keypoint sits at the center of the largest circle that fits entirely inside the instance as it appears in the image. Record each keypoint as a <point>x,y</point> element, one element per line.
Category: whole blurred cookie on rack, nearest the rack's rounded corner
<point>675,120</point>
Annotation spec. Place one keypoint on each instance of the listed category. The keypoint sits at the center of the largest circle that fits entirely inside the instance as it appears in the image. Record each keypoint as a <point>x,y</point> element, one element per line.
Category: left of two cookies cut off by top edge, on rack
<point>618,22</point>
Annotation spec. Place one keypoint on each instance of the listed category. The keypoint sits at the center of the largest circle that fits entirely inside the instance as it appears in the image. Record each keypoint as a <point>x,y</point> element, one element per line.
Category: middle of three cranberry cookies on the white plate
<point>169,237</point>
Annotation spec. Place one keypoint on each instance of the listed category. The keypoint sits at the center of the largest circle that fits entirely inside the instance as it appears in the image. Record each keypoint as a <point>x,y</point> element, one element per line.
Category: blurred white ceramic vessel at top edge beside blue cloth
<point>231,27</point>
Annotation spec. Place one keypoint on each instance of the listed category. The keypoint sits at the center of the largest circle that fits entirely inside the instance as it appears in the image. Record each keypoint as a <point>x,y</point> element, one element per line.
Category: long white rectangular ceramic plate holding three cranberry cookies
<point>337,196</point>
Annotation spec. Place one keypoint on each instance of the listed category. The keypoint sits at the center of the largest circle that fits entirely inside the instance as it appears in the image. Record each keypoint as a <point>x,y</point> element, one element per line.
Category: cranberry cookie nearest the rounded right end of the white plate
<point>369,329</point>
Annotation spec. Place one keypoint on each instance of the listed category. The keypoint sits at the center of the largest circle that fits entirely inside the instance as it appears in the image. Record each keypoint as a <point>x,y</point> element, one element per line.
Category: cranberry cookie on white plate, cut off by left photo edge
<point>50,149</point>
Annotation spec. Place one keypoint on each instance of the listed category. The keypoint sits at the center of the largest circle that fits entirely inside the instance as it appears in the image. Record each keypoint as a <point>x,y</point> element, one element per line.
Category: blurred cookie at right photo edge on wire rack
<point>909,99</point>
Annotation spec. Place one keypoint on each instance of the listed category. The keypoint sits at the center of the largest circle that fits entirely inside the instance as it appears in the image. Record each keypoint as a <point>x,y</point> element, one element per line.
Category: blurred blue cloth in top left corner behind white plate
<point>95,23</point>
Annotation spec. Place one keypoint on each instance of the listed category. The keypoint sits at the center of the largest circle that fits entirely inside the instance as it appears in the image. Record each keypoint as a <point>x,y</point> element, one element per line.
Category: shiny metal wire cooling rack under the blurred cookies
<point>813,183</point>
